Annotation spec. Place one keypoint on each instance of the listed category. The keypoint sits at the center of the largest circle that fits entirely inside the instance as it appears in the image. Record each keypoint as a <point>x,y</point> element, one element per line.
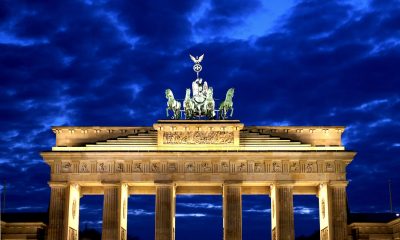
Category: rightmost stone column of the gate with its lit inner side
<point>333,211</point>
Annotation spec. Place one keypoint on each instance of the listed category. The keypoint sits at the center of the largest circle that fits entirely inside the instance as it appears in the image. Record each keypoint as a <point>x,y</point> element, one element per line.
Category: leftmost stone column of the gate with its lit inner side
<point>64,211</point>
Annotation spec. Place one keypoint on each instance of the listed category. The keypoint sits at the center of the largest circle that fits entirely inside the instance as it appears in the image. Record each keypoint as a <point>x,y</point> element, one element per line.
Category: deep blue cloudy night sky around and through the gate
<point>307,62</point>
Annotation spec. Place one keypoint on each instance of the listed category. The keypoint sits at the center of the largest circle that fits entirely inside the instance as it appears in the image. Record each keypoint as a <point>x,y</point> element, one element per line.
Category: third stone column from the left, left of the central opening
<point>165,211</point>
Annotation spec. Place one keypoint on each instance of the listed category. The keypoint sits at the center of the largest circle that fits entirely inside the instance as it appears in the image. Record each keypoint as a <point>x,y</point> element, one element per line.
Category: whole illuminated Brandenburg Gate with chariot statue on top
<point>195,156</point>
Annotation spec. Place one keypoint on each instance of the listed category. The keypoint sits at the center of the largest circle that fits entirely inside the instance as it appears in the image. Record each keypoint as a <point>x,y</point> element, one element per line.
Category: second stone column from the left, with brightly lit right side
<point>115,212</point>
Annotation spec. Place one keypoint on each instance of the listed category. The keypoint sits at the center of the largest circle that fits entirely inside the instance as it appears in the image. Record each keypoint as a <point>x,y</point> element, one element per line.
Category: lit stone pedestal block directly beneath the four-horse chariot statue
<point>198,134</point>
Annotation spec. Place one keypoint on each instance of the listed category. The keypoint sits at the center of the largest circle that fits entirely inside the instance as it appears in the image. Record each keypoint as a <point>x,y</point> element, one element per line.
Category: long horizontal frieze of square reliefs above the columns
<point>223,166</point>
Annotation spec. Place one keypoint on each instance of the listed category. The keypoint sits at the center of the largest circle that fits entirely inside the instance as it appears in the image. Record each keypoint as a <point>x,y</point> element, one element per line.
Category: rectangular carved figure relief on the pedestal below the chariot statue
<point>198,137</point>
